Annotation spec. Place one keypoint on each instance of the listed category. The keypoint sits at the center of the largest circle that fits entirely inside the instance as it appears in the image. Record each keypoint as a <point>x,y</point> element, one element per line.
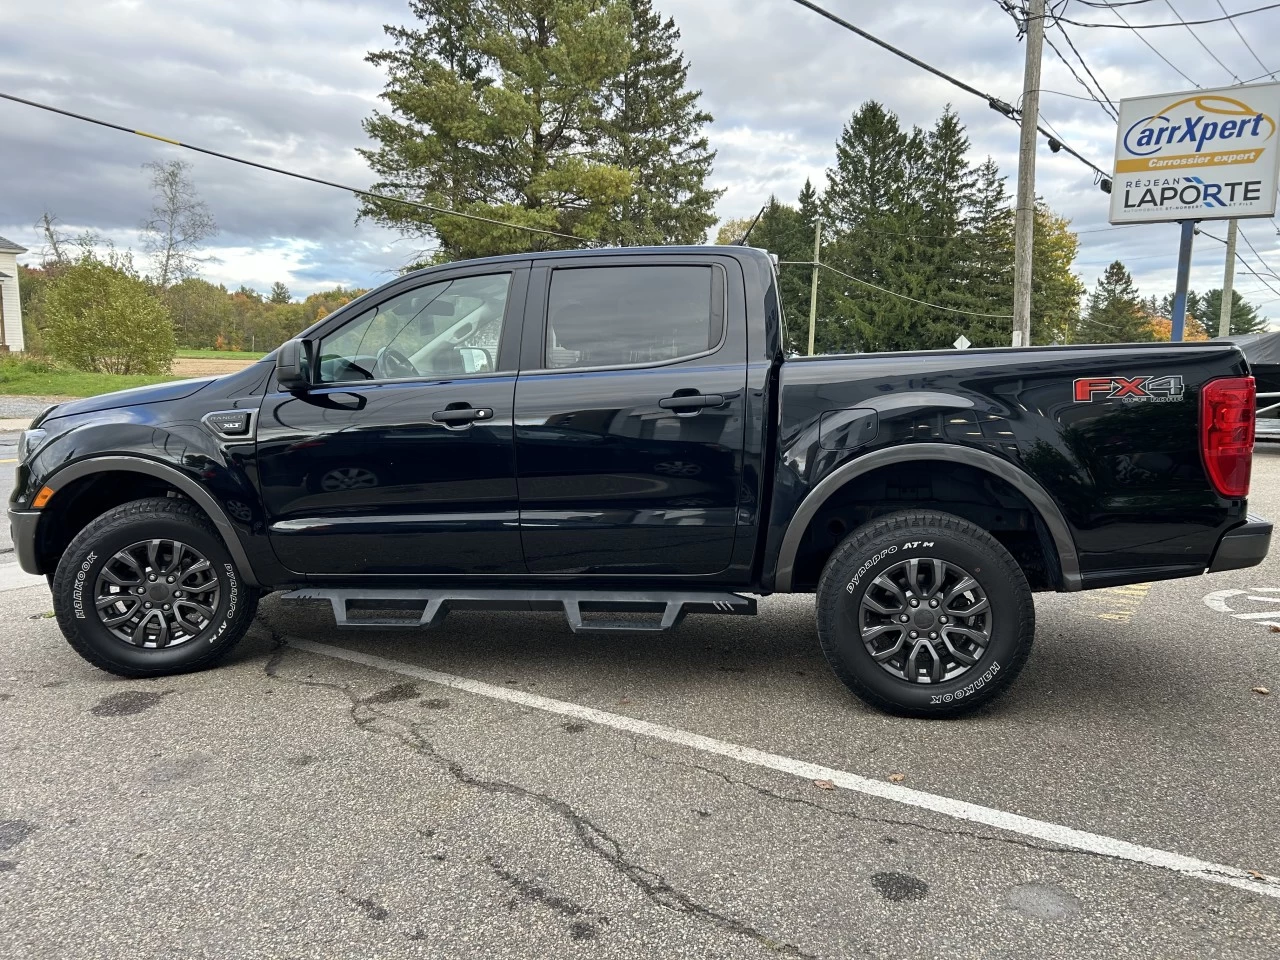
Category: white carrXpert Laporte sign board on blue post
<point>1203,156</point>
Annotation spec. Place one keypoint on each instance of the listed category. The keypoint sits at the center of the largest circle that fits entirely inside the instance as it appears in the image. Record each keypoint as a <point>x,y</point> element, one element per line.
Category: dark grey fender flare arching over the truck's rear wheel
<point>1040,499</point>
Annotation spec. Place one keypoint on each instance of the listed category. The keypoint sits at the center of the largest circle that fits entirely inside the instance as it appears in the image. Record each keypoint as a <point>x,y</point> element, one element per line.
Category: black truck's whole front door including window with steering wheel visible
<point>401,459</point>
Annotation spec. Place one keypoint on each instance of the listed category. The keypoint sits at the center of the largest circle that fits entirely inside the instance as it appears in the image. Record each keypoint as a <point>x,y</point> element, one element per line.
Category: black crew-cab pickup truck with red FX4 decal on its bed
<point>620,435</point>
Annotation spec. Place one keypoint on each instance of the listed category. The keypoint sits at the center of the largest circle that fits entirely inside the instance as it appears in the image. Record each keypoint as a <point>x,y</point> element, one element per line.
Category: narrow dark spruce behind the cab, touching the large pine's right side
<point>653,127</point>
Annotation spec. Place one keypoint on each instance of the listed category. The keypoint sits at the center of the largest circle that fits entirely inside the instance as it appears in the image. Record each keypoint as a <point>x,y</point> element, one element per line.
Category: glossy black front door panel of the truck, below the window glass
<point>363,481</point>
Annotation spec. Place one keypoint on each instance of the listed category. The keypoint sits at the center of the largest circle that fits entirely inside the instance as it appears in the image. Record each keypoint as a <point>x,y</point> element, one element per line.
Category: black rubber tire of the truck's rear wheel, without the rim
<point>851,578</point>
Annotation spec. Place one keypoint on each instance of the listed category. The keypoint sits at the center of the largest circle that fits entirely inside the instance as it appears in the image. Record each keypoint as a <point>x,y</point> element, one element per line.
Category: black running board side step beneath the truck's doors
<point>431,607</point>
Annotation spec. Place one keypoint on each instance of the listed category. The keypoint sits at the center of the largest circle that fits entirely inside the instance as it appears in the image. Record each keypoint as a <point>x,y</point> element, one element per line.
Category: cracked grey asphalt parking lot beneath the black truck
<point>502,788</point>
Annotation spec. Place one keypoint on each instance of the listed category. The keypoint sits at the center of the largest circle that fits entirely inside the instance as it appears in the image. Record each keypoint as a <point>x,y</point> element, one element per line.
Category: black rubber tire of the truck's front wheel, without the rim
<point>77,578</point>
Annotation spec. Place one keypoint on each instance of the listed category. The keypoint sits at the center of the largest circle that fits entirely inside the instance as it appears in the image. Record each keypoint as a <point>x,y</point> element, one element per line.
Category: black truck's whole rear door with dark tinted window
<point>630,415</point>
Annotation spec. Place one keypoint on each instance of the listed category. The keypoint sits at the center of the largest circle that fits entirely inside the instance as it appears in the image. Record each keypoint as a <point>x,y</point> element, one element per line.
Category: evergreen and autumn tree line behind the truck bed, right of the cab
<point>918,250</point>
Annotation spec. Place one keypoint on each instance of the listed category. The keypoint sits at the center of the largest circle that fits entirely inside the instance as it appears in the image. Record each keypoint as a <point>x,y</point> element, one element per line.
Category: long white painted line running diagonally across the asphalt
<point>1000,820</point>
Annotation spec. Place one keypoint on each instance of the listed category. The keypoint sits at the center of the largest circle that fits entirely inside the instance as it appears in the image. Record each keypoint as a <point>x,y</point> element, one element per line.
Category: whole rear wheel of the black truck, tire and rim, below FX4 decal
<point>925,615</point>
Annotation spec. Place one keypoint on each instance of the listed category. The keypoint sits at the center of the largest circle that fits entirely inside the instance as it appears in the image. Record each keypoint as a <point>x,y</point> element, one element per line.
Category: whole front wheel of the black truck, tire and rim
<point>149,589</point>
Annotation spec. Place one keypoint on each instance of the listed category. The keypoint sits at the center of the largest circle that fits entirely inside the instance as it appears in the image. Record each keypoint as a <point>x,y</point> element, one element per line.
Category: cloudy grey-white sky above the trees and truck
<point>285,83</point>
